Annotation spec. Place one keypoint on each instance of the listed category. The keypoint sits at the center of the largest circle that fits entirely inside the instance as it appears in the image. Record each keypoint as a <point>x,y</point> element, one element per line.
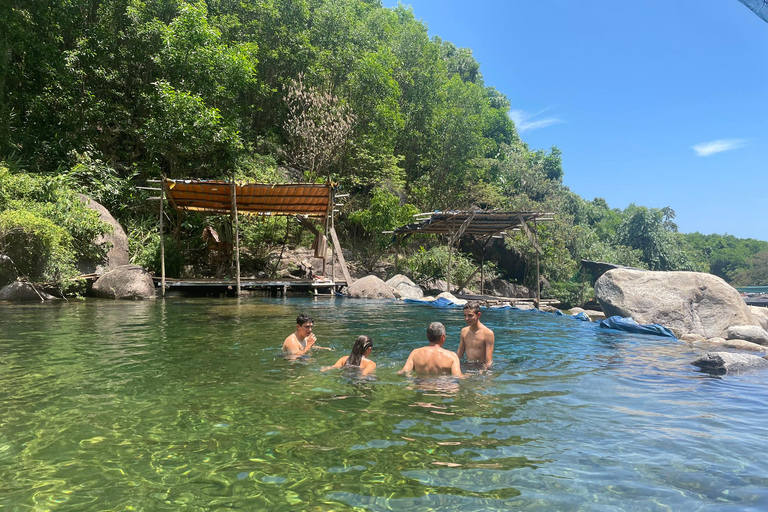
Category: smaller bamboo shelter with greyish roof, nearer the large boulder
<point>482,226</point>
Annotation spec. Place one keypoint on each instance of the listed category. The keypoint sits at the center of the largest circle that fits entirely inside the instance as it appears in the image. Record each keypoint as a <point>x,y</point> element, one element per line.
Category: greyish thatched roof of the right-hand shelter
<point>477,223</point>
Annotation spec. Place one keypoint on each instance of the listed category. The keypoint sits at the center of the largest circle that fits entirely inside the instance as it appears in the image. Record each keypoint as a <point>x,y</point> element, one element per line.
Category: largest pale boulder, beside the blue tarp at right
<point>685,302</point>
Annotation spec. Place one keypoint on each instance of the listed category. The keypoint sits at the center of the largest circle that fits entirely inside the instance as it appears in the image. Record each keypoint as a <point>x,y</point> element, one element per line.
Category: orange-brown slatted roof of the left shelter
<point>314,200</point>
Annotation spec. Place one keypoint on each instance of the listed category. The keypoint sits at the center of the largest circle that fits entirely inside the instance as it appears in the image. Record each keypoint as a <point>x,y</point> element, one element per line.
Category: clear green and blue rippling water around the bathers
<point>188,403</point>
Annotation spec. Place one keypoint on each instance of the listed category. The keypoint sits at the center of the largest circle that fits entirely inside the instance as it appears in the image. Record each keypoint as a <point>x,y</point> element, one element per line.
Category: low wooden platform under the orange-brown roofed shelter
<point>265,287</point>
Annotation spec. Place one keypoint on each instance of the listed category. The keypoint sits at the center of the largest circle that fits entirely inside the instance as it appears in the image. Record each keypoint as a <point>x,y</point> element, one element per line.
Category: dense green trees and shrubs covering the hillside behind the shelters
<point>102,95</point>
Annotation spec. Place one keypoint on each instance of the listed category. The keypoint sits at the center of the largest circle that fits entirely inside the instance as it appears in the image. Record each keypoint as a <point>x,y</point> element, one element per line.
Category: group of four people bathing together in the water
<point>476,343</point>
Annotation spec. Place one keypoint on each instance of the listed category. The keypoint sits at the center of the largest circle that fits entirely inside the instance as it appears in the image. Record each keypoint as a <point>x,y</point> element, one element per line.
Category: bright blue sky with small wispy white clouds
<point>654,102</point>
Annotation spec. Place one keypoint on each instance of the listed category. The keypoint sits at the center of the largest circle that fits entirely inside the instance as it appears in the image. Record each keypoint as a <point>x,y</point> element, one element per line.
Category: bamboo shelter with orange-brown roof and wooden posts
<point>300,200</point>
